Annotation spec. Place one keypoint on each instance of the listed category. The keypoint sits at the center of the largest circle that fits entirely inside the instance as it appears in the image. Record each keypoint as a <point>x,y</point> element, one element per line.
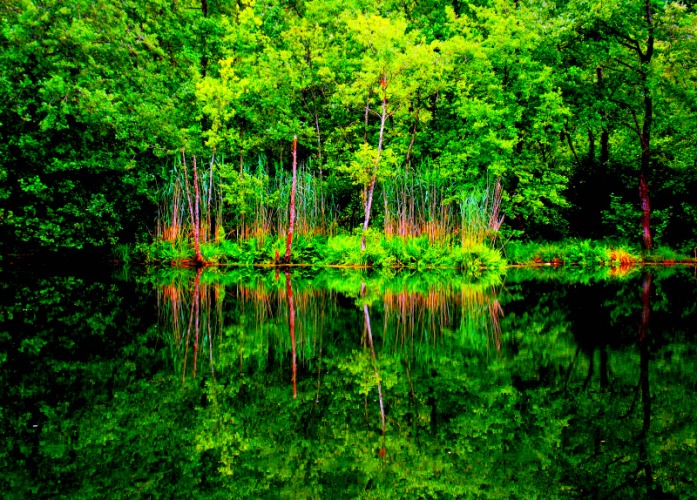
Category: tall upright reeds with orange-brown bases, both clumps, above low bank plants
<point>253,203</point>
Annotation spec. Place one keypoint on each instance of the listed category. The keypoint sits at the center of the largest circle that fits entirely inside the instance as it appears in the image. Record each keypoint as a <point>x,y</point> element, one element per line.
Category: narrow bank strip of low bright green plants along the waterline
<point>404,253</point>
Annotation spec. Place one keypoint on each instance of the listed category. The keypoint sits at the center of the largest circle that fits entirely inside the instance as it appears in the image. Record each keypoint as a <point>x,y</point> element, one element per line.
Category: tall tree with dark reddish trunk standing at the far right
<point>632,44</point>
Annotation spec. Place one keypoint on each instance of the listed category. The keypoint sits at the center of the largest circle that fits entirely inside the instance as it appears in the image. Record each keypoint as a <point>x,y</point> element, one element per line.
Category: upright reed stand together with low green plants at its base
<point>427,221</point>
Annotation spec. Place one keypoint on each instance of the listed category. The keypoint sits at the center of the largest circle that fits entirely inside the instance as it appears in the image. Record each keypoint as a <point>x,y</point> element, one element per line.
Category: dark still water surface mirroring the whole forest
<point>541,383</point>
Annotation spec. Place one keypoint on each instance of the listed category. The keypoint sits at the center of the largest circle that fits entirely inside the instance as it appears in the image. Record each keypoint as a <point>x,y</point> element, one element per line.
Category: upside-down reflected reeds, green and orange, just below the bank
<point>216,323</point>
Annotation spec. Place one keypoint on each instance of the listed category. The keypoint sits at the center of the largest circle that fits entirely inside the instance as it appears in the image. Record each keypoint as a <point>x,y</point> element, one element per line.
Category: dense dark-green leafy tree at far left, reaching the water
<point>87,108</point>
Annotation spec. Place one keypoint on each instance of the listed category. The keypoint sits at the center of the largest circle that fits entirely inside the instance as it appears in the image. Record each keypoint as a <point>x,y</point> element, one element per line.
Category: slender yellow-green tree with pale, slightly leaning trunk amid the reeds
<point>393,67</point>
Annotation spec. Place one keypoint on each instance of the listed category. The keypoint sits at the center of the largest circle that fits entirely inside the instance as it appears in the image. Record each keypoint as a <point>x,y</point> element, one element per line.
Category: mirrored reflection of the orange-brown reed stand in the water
<point>197,310</point>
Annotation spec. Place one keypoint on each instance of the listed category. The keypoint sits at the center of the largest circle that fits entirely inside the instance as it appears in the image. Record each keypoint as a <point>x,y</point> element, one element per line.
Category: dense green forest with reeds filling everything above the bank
<point>576,118</point>
